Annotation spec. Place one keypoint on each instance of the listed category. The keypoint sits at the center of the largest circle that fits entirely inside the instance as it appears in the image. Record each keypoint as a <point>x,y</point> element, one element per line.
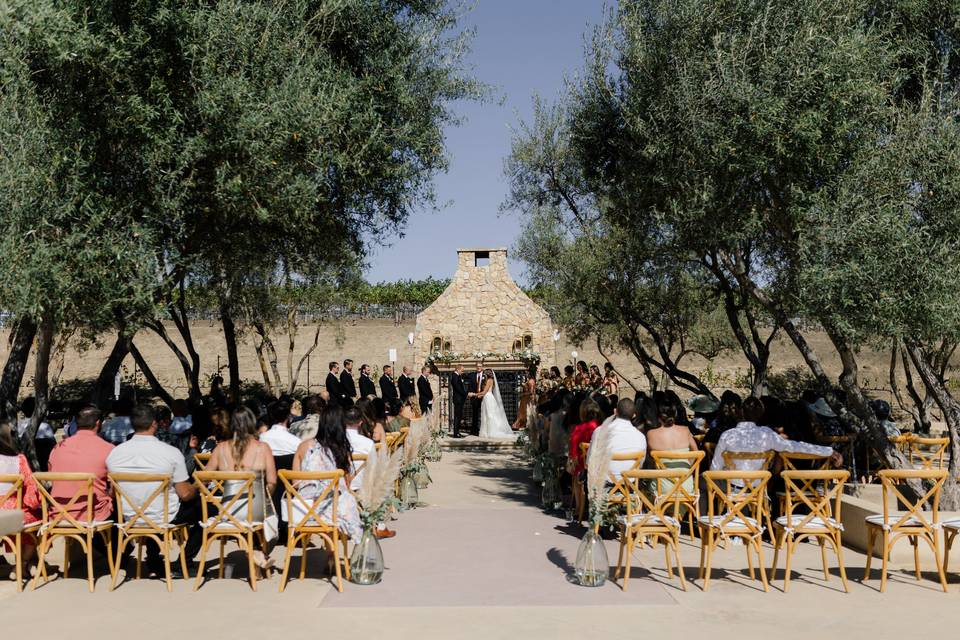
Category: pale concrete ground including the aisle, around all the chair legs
<point>479,560</point>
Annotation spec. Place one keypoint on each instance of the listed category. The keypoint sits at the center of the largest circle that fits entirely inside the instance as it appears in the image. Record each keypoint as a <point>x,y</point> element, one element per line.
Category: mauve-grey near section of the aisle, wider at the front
<point>487,557</point>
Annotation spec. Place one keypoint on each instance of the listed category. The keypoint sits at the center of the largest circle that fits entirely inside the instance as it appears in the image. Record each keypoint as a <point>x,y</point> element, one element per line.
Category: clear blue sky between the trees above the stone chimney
<point>521,48</point>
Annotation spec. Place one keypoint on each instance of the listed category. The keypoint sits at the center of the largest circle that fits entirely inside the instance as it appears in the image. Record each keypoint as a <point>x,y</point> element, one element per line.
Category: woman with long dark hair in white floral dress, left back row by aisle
<point>329,451</point>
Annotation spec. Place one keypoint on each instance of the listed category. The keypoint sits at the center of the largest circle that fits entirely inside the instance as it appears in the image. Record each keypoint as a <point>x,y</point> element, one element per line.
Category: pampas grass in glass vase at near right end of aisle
<point>592,565</point>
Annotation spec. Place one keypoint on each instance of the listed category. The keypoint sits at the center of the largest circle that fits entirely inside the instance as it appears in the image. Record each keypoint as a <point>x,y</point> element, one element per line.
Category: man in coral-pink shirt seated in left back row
<point>85,452</point>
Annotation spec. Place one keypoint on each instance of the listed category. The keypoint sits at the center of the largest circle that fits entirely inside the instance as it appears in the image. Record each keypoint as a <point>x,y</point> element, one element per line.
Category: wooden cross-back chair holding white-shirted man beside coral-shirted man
<point>139,527</point>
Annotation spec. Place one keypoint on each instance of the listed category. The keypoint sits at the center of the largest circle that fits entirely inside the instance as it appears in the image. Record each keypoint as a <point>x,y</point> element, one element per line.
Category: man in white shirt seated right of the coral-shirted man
<point>145,453</point>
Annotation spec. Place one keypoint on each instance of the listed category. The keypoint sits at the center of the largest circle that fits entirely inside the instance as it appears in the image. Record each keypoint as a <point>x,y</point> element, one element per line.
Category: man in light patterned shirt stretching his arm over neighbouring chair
<point>749,437</point>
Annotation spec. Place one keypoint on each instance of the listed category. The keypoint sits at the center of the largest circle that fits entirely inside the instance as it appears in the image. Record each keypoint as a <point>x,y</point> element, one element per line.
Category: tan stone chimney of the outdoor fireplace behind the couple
<point>483,309</point>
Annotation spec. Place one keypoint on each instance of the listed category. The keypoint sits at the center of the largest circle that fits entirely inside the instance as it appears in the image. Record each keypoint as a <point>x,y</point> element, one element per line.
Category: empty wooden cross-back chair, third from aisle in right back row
<point>820,493</point>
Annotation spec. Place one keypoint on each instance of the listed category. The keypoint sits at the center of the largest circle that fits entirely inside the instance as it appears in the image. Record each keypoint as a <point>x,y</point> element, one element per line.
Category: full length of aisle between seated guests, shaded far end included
<point>479,539</point>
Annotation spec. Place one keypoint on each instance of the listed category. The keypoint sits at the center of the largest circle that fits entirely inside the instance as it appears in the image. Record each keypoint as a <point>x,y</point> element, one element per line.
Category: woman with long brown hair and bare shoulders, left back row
<point>244,452</point>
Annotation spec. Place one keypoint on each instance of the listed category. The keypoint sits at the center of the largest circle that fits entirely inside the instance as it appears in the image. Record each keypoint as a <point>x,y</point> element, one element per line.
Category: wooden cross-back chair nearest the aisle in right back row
<point>651,518</point>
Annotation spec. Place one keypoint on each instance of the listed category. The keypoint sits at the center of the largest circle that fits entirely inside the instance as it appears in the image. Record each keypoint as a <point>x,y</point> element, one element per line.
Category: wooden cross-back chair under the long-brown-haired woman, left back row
<point>228,517</point>
